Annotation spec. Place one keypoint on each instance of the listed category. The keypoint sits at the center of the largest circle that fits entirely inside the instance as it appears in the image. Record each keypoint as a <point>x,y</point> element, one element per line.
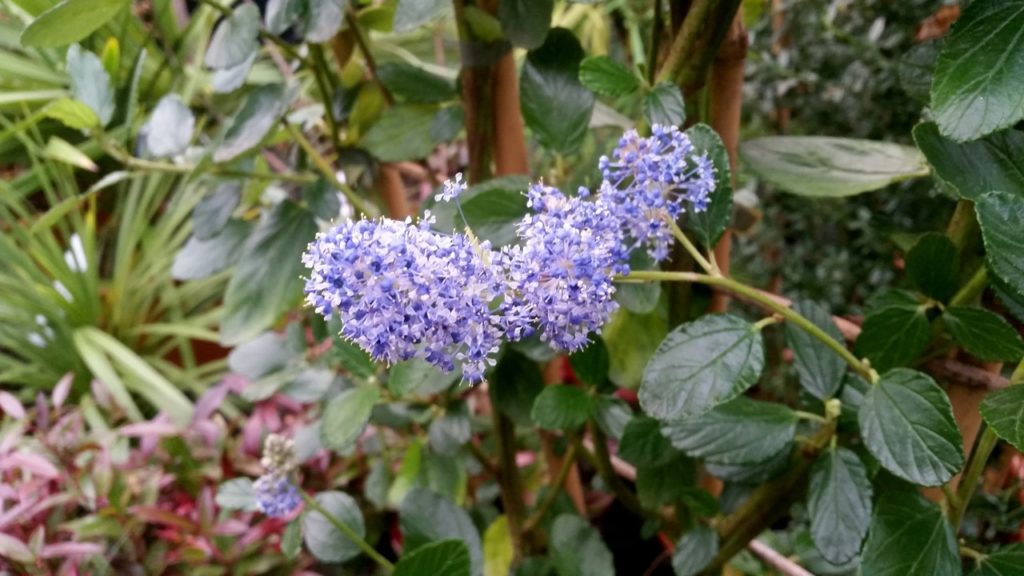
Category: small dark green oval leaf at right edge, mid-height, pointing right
<point>985,335</point>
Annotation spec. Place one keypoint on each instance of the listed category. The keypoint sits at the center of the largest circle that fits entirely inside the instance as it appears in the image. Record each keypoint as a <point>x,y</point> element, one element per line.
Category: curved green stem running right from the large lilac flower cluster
<point>765,302</point>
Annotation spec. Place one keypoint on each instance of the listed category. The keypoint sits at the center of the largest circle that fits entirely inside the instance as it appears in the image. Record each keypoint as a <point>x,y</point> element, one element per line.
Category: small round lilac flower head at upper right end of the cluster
<point>649,180</point>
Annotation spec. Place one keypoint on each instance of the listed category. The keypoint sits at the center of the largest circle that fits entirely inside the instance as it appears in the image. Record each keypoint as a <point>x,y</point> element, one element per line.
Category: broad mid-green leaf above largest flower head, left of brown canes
<point>403,134</point>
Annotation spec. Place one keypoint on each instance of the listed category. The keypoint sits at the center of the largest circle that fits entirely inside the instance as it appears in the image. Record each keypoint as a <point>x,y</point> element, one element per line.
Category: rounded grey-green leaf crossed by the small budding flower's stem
<point>324,541</point>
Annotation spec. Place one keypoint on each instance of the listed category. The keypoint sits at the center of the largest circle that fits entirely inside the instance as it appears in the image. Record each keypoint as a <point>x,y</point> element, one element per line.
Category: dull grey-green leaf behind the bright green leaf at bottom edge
<point>426,517</point>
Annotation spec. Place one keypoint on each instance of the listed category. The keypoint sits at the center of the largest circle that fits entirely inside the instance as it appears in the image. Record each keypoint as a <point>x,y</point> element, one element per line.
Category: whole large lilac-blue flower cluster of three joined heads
<point>405,292</point>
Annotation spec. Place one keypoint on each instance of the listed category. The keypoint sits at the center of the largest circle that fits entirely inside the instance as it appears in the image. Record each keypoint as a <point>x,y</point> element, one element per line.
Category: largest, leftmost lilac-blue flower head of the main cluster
<point>404,292</point>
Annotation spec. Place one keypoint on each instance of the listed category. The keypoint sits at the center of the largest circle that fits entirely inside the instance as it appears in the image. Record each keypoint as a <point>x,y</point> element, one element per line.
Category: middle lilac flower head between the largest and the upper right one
<point>562,272</point>
